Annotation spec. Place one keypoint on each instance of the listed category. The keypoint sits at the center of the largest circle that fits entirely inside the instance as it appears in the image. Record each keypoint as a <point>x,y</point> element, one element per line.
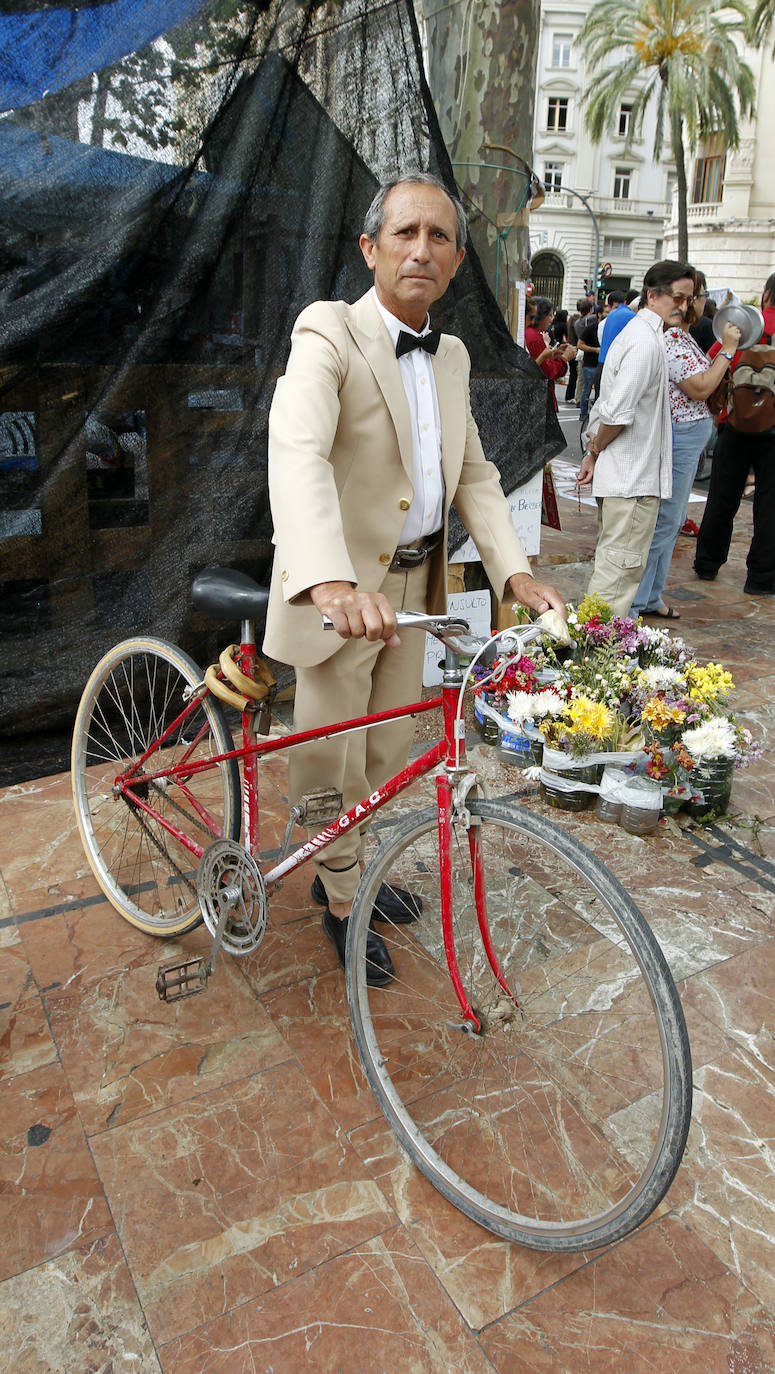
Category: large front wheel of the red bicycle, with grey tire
<point>563,1125</point>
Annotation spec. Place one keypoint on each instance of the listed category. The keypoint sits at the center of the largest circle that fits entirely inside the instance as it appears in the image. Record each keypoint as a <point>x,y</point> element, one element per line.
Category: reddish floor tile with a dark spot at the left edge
<point>52,1199</point>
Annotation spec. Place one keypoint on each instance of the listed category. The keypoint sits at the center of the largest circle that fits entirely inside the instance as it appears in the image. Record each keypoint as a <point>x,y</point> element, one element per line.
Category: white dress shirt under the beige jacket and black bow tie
<point>427,513</point>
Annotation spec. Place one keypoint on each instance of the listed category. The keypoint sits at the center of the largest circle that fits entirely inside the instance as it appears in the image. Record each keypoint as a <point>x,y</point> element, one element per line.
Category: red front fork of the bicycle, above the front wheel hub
<point>451,811</point>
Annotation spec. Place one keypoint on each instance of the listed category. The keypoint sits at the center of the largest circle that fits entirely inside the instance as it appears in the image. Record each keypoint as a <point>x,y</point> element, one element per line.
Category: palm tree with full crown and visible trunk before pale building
<point>679,54</point>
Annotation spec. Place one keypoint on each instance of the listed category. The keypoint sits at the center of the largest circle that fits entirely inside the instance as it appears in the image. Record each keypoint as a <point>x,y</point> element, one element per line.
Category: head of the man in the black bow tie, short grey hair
<point>416,255</point>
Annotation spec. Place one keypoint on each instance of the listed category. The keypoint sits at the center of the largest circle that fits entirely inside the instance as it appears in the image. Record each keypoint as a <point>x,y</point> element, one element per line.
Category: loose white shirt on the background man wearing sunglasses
<point>634,392</point>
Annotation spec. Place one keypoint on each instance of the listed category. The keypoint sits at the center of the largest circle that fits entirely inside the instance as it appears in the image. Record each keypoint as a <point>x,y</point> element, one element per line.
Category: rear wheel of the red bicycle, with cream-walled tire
<point>134,693</point>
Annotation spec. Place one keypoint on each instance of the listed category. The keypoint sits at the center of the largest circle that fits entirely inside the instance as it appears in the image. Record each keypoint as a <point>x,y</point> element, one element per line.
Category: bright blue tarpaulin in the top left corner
<point>46,50</point>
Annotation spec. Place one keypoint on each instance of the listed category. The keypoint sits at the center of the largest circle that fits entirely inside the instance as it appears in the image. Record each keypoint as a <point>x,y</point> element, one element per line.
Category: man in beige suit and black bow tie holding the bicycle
<point>372,439</point>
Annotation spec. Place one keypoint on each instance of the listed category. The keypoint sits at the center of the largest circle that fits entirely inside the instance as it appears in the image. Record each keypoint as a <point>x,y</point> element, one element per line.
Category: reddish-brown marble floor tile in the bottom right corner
<point>660,1302</point>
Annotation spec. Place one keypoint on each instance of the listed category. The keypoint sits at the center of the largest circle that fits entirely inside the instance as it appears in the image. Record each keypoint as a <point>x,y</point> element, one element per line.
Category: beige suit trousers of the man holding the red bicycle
<point>358,679</point>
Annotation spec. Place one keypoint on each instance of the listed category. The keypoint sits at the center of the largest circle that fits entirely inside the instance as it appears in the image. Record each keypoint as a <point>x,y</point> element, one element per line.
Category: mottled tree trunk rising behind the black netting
<point>483,76</point>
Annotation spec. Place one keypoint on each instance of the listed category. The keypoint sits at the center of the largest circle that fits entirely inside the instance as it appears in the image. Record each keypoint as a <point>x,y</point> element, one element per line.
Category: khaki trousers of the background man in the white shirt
<point>625,538</point>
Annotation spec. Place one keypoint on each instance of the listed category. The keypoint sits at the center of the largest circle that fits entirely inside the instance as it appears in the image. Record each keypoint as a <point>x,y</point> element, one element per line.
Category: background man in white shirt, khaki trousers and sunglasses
<point>629,458</point>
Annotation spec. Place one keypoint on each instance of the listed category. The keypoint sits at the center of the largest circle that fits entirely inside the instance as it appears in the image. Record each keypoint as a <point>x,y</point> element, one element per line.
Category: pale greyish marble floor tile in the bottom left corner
<point>76,1316</point>
